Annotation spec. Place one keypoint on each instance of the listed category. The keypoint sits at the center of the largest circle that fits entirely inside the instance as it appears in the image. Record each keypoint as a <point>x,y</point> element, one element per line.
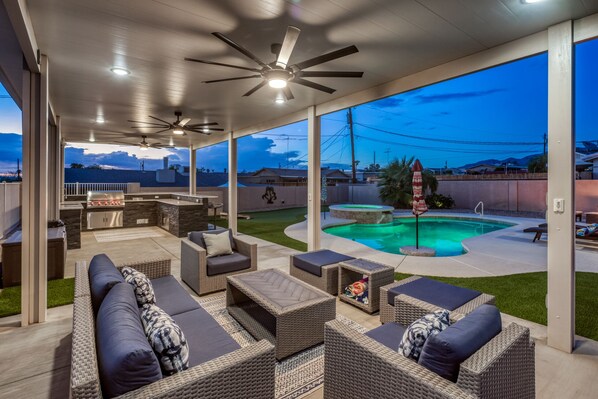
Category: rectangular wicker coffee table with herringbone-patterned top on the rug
<point>272,305</point>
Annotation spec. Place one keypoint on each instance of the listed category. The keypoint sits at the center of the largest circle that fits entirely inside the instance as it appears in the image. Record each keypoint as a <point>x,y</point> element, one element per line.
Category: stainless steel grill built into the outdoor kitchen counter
<point>105,209</point>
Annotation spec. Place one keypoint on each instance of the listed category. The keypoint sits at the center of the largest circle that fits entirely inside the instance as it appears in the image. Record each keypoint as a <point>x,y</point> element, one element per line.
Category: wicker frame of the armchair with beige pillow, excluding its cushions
<point>194,267</point>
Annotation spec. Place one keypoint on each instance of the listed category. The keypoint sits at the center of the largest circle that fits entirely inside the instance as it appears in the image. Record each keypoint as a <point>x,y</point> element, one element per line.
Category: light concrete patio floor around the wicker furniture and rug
<point>35,360</point>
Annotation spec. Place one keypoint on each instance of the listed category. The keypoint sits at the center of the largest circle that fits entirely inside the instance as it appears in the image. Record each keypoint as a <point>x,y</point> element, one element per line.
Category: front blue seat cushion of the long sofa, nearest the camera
<point>206,338</point>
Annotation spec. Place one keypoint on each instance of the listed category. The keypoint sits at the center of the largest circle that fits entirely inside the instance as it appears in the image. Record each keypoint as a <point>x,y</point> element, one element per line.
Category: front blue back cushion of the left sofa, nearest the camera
<point>125,358</point>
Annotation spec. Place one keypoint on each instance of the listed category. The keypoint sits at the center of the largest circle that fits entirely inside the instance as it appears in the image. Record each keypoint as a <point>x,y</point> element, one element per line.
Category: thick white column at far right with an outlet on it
<point>561,188</point>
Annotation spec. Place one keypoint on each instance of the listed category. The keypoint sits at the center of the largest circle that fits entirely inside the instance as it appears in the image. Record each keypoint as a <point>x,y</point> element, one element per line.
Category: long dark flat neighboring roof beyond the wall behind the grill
<point>144,178</point>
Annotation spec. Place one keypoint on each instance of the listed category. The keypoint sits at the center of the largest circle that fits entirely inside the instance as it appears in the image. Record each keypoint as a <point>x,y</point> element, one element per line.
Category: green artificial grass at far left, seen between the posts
<point>60,292</point>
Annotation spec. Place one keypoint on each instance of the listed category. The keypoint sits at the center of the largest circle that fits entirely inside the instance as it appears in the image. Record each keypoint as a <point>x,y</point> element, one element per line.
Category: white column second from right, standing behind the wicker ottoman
<point>314,184</point>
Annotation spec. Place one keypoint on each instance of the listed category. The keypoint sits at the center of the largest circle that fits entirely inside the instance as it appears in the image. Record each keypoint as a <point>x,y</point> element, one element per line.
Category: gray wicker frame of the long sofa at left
<point>246,372</point>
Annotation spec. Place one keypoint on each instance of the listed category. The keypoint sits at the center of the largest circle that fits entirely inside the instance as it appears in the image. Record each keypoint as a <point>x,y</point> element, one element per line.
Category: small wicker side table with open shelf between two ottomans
<point>378,275</point>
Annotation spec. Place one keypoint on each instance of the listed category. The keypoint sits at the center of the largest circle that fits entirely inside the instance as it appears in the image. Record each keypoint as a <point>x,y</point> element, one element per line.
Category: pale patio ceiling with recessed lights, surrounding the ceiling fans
<point>85,38</point>
